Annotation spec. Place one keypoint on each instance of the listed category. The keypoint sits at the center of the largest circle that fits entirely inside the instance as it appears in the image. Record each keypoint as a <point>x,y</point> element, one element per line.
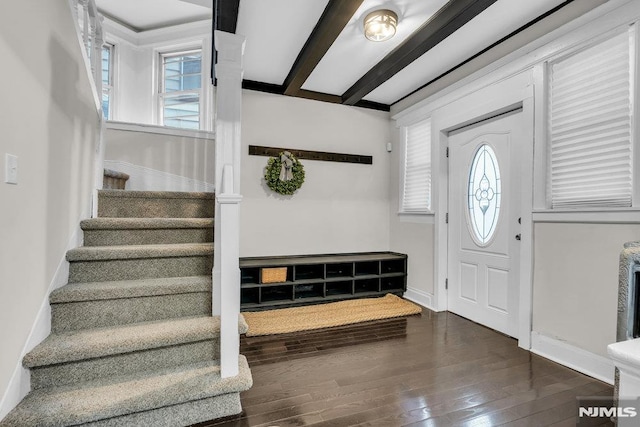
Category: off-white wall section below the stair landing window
<point>161,159</point>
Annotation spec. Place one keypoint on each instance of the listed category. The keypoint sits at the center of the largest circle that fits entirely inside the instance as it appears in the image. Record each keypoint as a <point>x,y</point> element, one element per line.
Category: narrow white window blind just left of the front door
<point>416,195</point>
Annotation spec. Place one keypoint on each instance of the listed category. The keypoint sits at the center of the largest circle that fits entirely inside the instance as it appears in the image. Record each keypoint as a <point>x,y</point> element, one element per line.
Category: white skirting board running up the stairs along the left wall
<point>20,382</point>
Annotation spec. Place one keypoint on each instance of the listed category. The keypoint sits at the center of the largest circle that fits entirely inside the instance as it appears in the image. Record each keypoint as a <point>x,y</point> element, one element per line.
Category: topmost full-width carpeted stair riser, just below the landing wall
<point>135,207</point>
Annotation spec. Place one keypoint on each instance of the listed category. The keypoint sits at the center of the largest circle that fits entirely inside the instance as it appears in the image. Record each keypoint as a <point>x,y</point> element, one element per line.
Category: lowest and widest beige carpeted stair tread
<point>136,393</point>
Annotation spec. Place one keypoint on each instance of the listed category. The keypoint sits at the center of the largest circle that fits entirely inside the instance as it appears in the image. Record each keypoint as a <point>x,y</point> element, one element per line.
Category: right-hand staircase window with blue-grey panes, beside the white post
<point>180,85</point>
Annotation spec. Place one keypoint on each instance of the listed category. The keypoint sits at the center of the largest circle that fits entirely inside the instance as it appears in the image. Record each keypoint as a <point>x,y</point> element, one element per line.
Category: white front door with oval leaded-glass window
<point>484,221</point>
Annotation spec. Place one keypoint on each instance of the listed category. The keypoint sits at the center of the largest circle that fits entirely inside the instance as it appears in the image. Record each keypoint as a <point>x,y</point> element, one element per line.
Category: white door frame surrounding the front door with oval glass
<point>482,104</point>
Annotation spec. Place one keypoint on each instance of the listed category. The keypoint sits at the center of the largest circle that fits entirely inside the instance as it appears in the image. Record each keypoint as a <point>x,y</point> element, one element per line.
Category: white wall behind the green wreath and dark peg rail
<point>341,207</point>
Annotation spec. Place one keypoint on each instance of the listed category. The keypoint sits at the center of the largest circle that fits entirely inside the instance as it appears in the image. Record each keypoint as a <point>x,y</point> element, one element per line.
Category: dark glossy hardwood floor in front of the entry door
<point>437,369</point>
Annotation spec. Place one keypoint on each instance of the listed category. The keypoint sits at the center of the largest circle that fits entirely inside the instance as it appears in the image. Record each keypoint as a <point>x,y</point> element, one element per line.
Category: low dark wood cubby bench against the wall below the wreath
<point>313,279</point>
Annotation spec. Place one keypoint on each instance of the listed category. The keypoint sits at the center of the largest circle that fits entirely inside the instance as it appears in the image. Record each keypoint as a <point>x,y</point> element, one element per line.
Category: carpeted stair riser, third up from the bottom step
<point>103,313</point>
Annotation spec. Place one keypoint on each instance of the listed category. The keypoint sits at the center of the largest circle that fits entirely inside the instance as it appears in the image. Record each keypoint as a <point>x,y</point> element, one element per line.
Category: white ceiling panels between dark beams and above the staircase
<point>276,32</point>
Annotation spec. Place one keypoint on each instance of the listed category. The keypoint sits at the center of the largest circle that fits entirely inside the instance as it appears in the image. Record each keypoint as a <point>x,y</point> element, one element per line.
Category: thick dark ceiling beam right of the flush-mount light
<point>445,22</point>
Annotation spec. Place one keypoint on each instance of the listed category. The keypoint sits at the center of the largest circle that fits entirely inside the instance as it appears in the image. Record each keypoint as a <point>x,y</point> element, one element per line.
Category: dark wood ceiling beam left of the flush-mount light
<point>333,20</point>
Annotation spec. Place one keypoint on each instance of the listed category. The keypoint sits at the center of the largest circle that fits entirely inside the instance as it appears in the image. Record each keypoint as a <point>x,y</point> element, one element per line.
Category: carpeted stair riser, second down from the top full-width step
<point>147,237</point>
